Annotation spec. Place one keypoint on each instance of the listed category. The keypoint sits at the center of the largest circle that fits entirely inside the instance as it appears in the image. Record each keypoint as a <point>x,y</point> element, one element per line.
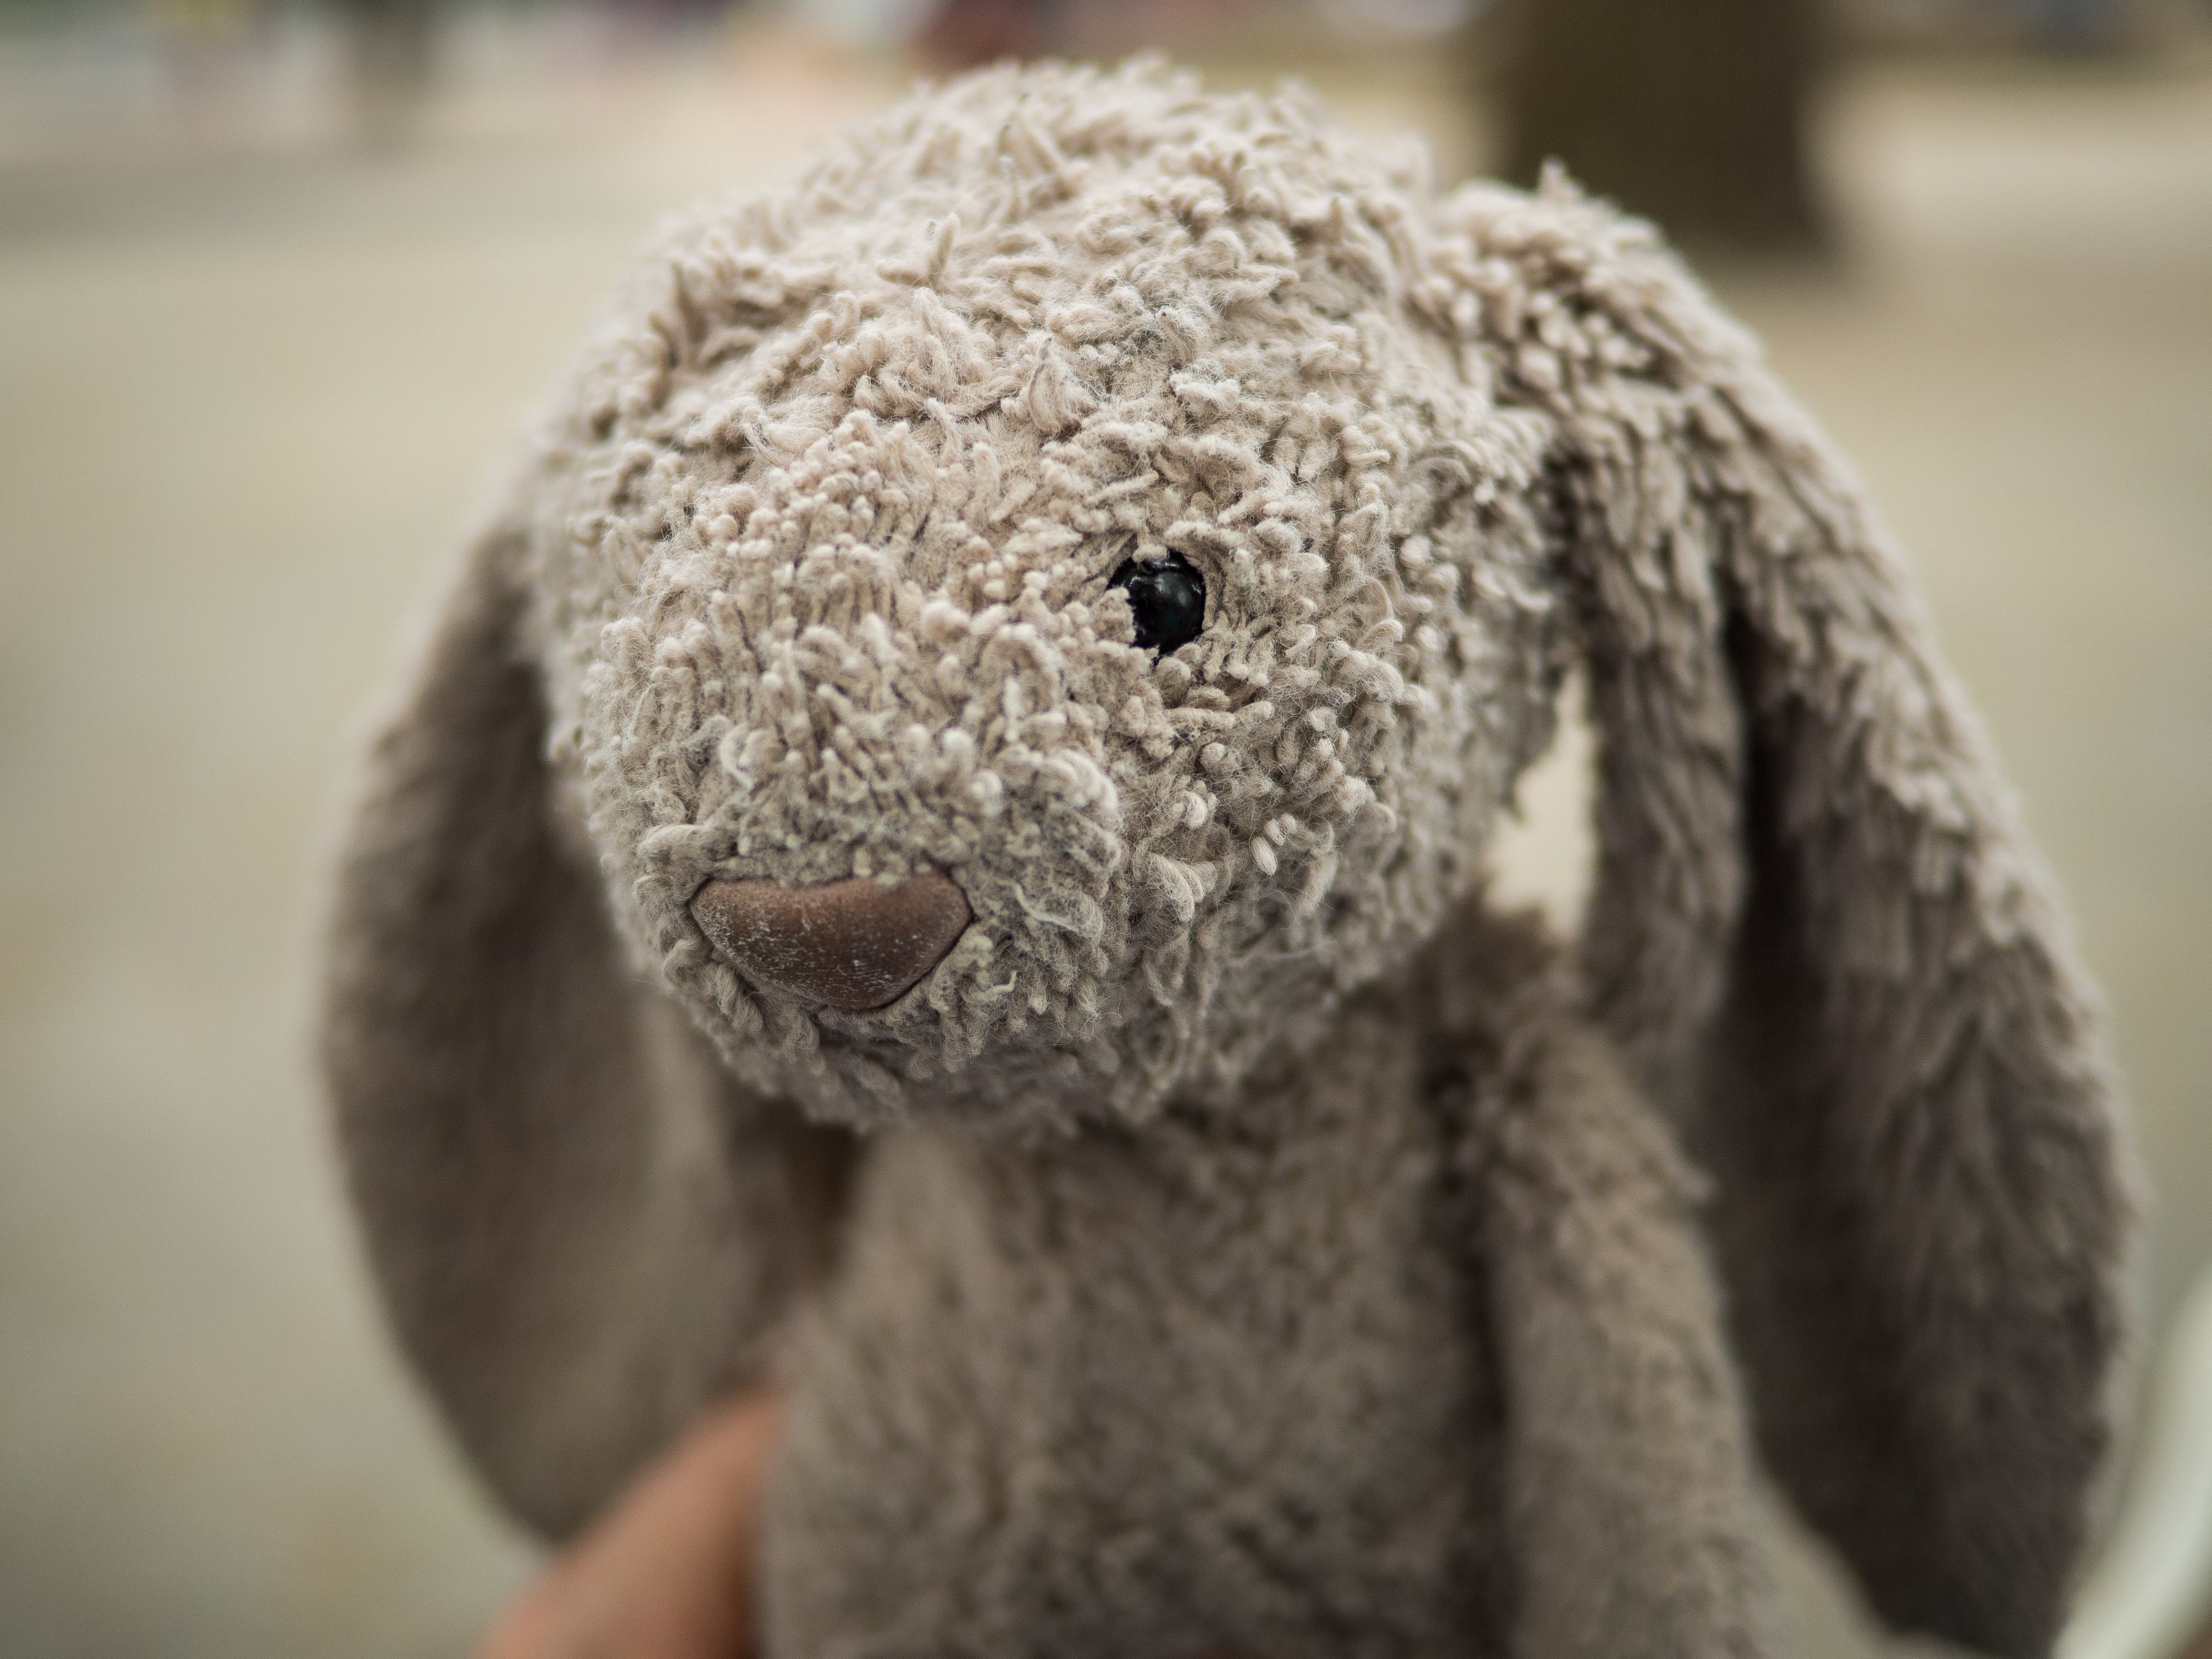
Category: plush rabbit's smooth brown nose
<point>848,943</point>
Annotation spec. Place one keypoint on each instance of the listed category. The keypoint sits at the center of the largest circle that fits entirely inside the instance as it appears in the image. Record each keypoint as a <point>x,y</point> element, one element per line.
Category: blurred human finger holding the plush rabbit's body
<point>667,1574</point>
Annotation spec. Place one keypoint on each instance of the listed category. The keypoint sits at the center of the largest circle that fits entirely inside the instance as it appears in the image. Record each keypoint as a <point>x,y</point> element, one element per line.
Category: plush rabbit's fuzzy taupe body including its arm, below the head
<point>1264,1373</point>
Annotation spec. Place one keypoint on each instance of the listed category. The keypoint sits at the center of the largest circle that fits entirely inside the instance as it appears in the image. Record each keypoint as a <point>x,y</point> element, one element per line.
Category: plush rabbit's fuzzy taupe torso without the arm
<point>1253,1377</point>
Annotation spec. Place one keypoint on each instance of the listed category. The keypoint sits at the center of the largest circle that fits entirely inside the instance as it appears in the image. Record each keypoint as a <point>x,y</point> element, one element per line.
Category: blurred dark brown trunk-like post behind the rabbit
<point>1691,114</point>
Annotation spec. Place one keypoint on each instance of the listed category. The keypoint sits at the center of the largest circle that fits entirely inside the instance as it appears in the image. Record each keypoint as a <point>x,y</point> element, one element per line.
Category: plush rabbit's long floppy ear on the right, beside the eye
<point>1824,941</point>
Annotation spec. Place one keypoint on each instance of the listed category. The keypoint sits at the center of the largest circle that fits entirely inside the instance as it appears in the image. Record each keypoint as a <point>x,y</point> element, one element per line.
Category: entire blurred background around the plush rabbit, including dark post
<point>278,284</point>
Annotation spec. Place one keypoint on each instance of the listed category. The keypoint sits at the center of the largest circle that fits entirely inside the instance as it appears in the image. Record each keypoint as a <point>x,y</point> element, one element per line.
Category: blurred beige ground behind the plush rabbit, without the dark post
<point>249,393</point>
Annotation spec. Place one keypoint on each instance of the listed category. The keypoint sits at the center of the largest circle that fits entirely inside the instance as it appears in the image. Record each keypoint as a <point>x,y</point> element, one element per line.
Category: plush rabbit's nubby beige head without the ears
<point>1076,497</point>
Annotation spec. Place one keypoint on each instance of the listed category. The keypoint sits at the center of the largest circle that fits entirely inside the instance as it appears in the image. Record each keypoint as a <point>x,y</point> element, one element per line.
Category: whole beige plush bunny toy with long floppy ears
<point>937,857</point>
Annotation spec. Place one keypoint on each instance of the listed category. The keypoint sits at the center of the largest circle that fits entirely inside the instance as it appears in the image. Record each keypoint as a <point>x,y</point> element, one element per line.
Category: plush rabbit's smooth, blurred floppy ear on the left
<point>578,1224</point>
